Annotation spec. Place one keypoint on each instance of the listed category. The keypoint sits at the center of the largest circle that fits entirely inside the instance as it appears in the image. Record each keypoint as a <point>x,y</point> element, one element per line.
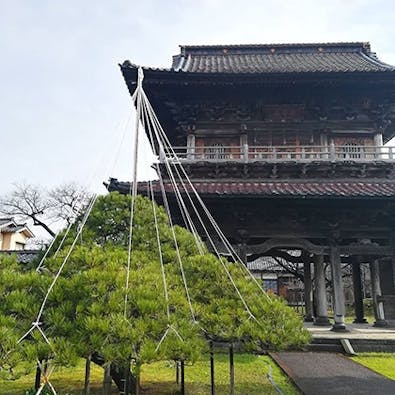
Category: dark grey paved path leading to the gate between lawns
<point>332,374</point>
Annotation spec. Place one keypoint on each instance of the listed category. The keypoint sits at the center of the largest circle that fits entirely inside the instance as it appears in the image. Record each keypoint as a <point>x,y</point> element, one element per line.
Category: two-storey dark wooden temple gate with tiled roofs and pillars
<point>285,144</point>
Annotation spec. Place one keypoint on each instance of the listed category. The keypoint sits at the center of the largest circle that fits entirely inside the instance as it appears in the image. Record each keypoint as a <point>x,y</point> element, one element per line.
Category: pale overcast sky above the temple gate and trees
<point>63,103</point>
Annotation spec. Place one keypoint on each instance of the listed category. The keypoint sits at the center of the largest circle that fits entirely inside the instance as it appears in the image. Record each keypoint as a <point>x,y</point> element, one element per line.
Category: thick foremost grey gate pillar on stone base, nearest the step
<point>338,291</point>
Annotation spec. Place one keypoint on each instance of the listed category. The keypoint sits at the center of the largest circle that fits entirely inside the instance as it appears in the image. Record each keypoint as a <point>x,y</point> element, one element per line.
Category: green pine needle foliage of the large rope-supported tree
<point>86,313</point>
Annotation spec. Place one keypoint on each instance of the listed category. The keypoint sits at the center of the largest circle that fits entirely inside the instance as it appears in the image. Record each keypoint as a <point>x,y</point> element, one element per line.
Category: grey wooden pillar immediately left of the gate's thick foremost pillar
<point>321,317</point>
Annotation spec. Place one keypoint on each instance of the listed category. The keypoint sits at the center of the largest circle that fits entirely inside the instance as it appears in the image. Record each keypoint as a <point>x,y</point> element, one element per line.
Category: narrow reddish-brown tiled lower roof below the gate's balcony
<point>331,189</point>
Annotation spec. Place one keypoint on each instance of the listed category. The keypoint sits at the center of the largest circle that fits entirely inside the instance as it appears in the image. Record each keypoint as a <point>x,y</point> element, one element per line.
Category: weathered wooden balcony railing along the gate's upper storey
<point>307,153</point>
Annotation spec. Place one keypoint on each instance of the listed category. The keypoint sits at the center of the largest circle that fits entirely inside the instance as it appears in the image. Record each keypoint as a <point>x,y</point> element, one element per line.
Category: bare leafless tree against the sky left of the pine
<point>44,208</point>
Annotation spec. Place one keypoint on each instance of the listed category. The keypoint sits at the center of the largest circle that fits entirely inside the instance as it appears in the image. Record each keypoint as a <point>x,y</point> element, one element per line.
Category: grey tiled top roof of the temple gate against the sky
<point>277,58</point>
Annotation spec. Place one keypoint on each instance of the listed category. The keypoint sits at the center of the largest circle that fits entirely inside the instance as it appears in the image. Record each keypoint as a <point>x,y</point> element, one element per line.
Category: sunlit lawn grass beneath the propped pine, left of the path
<point>159,378</point>
